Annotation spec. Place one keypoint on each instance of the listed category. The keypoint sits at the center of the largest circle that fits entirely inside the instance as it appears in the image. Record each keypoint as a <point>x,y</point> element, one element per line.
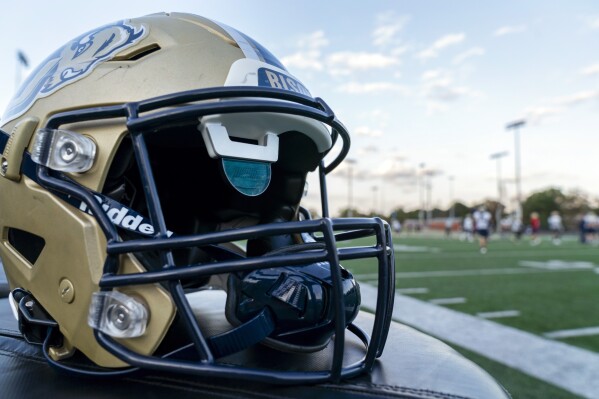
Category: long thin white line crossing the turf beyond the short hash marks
<point>468,272</point>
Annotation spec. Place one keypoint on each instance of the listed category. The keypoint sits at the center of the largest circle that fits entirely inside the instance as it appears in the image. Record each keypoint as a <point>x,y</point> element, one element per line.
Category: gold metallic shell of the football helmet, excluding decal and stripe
<point>190,55</point>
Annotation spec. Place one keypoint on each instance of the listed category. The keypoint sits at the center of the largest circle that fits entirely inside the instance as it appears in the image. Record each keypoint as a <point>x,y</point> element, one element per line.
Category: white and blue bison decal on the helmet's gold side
<point>72,62</point>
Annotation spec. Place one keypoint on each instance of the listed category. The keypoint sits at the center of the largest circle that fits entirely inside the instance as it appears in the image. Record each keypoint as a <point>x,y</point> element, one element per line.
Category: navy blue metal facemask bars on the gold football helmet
<point>239,99</point>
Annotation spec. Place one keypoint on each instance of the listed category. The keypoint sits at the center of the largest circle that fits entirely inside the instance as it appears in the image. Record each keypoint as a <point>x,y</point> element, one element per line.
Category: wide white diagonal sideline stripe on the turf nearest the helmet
<point>568,367</point>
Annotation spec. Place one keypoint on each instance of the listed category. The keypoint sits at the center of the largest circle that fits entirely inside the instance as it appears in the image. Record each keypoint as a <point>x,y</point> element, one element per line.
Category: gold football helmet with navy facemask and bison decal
<point>150,182</point>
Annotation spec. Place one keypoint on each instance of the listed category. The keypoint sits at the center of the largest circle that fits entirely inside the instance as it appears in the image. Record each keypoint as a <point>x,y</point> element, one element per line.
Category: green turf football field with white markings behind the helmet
<point>551,287</point>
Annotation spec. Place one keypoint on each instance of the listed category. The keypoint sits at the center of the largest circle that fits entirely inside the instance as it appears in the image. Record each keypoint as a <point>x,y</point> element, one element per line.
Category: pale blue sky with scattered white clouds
<point>426,88</point>
